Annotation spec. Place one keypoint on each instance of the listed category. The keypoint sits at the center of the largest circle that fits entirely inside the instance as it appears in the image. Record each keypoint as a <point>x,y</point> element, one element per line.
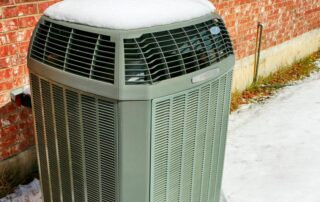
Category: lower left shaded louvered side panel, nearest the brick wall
<point>77,143</point>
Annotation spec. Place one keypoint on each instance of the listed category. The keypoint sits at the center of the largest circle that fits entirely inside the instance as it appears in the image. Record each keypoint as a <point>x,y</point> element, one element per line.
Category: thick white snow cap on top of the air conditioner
<point>128,14</point>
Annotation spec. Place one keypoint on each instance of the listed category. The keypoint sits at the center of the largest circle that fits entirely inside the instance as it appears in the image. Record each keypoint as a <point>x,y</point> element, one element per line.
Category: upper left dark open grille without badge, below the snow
<point>78,52</point>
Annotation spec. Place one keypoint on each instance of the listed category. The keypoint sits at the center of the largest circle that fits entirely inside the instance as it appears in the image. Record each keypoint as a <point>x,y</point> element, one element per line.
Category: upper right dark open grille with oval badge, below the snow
<point>163,55</point>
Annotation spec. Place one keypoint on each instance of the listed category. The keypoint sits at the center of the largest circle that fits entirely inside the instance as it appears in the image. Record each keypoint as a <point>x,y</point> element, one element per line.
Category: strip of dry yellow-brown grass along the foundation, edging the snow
<point>264,88</point>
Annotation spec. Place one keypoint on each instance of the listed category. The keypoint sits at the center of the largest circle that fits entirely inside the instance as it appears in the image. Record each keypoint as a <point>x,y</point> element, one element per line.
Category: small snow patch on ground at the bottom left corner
<point>25,193</point>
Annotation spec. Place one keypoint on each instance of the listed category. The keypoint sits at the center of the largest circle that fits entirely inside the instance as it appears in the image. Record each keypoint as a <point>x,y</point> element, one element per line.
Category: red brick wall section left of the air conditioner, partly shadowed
<point>17,20</point>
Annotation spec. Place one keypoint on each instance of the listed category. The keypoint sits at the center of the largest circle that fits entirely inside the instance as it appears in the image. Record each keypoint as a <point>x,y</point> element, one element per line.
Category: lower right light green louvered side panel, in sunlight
<point>188,140</point>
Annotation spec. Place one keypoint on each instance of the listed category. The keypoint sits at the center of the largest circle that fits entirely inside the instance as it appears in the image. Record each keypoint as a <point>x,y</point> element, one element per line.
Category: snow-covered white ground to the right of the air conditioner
<point>273,148</point>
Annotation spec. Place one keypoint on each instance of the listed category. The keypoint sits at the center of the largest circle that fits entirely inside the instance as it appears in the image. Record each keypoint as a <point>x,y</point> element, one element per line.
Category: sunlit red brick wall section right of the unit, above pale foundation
<point>282,20</point>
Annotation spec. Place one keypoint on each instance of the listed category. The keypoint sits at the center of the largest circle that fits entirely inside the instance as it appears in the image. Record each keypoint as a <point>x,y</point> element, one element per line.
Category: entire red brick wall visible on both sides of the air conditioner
<point>282,19</point>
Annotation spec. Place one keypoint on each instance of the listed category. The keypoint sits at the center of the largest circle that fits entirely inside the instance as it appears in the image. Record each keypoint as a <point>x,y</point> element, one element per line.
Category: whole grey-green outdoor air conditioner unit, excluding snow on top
<point>131,115</point>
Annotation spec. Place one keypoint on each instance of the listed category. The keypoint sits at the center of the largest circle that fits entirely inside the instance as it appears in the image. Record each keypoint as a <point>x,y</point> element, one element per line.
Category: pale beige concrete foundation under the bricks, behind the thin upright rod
<point>275,57</point>
